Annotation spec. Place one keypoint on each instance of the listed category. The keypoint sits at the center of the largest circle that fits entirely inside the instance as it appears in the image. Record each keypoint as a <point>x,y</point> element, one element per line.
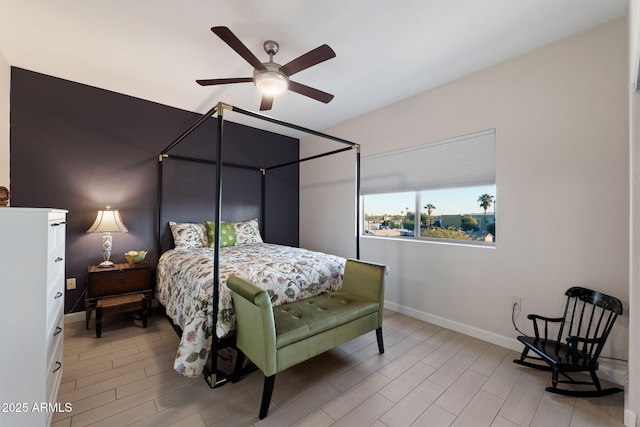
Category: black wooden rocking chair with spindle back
<point>588,319</point>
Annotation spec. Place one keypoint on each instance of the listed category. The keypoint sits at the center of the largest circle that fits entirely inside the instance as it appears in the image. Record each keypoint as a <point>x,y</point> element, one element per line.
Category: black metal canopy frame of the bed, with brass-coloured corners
<point>213,376</point>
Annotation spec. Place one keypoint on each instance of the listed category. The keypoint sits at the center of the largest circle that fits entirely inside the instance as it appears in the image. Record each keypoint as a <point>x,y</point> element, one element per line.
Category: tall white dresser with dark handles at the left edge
<point>32,277</point>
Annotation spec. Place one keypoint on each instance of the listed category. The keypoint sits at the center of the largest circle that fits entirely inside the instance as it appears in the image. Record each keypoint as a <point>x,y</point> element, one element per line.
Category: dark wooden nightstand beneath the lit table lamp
<point>121,279</point>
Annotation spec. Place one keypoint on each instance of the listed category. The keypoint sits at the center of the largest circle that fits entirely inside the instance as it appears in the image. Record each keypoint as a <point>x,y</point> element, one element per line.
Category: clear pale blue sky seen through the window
<point>447,201</point>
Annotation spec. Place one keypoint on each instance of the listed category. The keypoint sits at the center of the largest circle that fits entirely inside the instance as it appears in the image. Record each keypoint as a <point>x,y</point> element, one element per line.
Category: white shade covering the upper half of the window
<point>463,161</point>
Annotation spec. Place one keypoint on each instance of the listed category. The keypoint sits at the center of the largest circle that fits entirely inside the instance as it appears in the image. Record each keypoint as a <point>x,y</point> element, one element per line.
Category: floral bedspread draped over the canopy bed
<point>185,288</point>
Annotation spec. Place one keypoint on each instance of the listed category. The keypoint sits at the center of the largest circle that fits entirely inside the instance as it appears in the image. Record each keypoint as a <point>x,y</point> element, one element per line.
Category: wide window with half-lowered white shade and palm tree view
<point>444,190</point>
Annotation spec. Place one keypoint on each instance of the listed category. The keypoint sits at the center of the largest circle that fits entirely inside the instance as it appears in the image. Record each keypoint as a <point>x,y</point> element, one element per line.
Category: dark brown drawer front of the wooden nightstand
<point>118,281</point>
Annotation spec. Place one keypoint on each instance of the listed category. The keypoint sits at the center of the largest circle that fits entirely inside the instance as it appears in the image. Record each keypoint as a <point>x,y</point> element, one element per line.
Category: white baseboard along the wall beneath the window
<point>608,370</point>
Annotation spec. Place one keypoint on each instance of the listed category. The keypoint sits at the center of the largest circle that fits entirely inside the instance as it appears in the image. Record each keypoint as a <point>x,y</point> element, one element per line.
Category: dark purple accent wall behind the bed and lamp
<point>80,148</point>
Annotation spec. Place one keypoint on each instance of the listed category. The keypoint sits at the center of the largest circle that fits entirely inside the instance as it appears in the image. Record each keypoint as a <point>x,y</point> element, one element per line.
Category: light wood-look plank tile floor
<point>428,376</point>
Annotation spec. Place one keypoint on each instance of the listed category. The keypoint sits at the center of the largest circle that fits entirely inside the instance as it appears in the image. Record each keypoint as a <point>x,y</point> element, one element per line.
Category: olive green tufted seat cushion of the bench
<point>302,319</point>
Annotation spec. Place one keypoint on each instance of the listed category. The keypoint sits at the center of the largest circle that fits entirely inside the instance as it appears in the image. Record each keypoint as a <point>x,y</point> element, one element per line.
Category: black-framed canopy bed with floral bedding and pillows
<point>192,274</point>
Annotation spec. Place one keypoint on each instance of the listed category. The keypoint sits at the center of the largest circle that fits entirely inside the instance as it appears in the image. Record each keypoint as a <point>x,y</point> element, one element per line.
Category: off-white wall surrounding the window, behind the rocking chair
<point>561,116</point>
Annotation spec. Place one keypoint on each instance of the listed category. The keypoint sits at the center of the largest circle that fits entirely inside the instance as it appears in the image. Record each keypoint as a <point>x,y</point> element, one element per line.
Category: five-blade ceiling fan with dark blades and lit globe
<point>271,78</point>
